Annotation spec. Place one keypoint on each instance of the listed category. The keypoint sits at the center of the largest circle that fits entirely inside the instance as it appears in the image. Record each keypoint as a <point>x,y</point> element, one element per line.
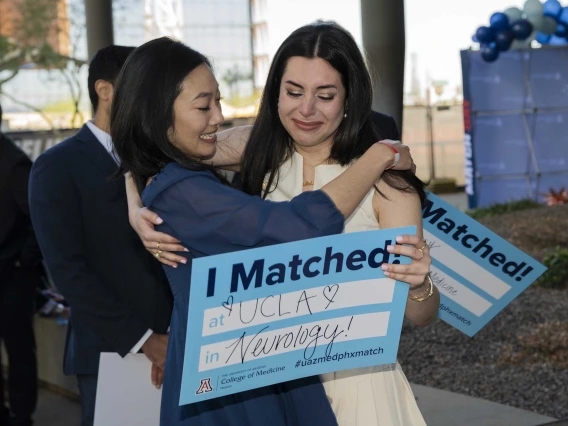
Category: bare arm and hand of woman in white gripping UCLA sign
<point>396,209</point>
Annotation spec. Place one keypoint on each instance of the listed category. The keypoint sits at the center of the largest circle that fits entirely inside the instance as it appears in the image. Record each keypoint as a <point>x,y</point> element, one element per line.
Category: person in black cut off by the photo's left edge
<point>20,275</point>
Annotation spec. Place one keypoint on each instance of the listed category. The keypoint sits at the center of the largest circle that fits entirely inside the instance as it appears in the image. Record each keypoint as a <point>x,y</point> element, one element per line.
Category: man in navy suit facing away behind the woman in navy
<point>119,296</point>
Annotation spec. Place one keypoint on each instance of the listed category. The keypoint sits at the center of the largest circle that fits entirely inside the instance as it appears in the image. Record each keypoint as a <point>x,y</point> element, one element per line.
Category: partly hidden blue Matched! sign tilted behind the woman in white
<point>477,272</point>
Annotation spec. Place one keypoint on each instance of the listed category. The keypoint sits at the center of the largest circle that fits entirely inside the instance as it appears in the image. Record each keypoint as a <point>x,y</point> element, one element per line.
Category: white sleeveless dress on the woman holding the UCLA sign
<point>372,396</point>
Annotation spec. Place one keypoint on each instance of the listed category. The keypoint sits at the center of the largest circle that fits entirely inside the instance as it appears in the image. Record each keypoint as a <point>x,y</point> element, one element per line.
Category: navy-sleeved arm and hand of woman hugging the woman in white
<point>212,218</point>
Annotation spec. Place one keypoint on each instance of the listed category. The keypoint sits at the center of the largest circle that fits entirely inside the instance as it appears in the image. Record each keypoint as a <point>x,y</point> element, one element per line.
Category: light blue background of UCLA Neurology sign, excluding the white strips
<point>344,243</point>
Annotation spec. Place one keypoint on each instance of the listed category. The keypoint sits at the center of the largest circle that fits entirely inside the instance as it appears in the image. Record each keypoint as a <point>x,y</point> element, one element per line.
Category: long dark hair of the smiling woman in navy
<point>142,108</point>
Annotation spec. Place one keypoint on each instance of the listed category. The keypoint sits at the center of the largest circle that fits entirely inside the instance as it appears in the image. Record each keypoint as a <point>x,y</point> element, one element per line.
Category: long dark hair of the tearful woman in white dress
<point>270,146</point>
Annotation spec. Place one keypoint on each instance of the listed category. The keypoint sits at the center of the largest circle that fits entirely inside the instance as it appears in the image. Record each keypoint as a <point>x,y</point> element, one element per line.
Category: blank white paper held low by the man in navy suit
<point>125,394</point>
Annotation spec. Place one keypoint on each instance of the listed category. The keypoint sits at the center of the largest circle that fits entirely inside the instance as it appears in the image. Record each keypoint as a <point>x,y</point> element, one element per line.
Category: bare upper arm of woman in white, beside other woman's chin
<point>230,146</point>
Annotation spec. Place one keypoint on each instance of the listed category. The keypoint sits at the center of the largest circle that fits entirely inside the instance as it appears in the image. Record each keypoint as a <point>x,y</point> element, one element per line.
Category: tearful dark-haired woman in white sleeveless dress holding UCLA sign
<point>314,120</point>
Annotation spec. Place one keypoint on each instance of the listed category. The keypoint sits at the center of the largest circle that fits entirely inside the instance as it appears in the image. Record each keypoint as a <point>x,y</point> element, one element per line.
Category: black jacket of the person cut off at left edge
<point>17,240</point>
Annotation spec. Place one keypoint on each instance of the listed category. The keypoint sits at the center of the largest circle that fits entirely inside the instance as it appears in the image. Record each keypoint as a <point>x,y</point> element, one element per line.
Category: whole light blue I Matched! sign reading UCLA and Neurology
<point>275,314</point>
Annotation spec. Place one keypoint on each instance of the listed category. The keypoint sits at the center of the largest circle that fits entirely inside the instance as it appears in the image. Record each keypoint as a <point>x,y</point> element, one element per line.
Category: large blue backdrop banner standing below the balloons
<point>516,124</point>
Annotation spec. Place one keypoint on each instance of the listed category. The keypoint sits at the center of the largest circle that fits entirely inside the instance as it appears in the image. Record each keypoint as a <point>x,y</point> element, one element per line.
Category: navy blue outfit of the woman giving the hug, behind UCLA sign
<point>211,218</point>
